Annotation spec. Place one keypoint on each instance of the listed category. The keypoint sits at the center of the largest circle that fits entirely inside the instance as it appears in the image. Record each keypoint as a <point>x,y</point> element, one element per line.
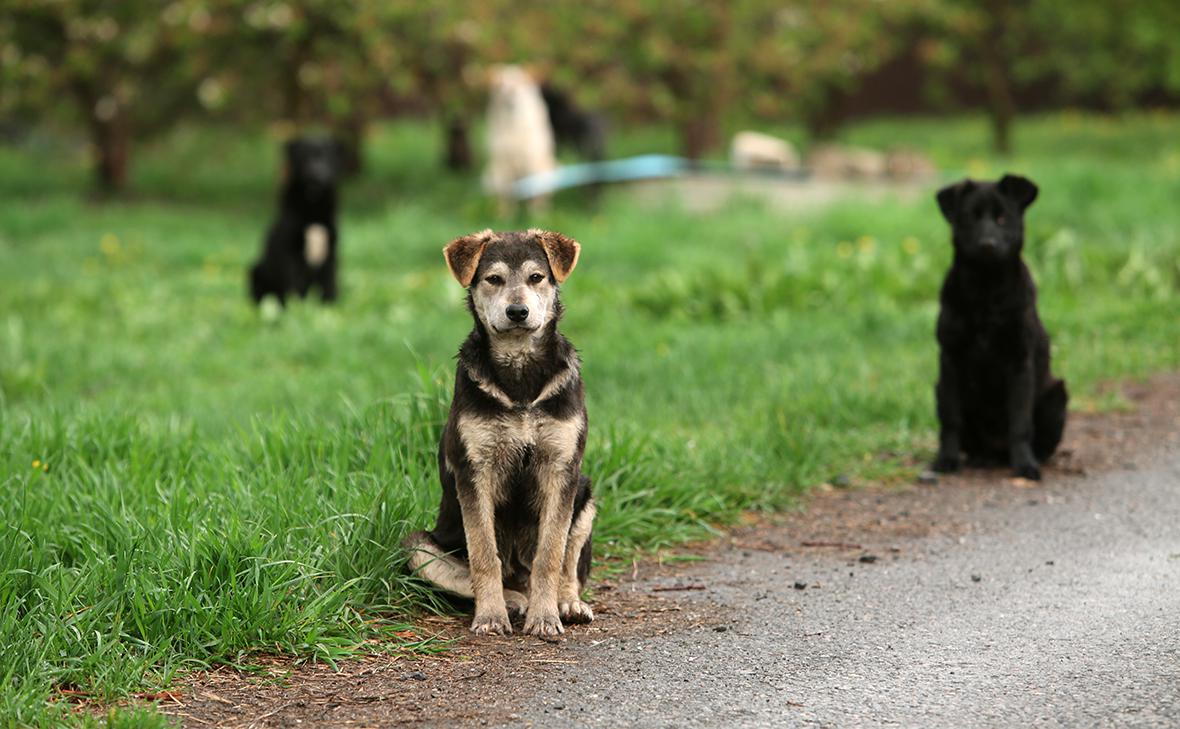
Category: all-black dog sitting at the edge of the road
<point>998,398</point>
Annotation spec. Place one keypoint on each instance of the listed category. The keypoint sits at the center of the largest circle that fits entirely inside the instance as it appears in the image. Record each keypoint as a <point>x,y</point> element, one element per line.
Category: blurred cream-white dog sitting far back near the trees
<point>520,139</point>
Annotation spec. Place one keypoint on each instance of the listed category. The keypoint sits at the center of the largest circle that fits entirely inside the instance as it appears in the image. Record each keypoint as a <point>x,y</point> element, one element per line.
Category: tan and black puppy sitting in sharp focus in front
<point>514,530</point>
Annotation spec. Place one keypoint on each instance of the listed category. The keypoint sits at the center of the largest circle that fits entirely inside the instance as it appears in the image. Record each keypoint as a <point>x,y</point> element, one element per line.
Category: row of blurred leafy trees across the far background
<point>121,76</point>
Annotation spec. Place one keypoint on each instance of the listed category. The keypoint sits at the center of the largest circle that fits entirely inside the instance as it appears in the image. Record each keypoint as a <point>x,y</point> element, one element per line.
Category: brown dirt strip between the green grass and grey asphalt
<point>483,681</point>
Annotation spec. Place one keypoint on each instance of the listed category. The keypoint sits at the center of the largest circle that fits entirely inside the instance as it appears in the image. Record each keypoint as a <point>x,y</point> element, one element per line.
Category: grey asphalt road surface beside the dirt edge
<point>1060,606</point>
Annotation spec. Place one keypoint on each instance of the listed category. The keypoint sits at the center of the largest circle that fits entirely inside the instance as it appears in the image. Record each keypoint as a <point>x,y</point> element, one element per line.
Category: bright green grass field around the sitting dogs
<point>187,483</point>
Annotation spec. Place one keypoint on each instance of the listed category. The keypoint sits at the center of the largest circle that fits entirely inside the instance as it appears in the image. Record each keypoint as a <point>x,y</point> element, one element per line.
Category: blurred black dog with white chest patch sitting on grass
<point>301,246</point>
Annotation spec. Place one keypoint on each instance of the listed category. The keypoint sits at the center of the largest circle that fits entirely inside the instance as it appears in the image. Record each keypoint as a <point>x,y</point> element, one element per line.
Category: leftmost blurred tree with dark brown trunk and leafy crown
<point>128,71</point>
